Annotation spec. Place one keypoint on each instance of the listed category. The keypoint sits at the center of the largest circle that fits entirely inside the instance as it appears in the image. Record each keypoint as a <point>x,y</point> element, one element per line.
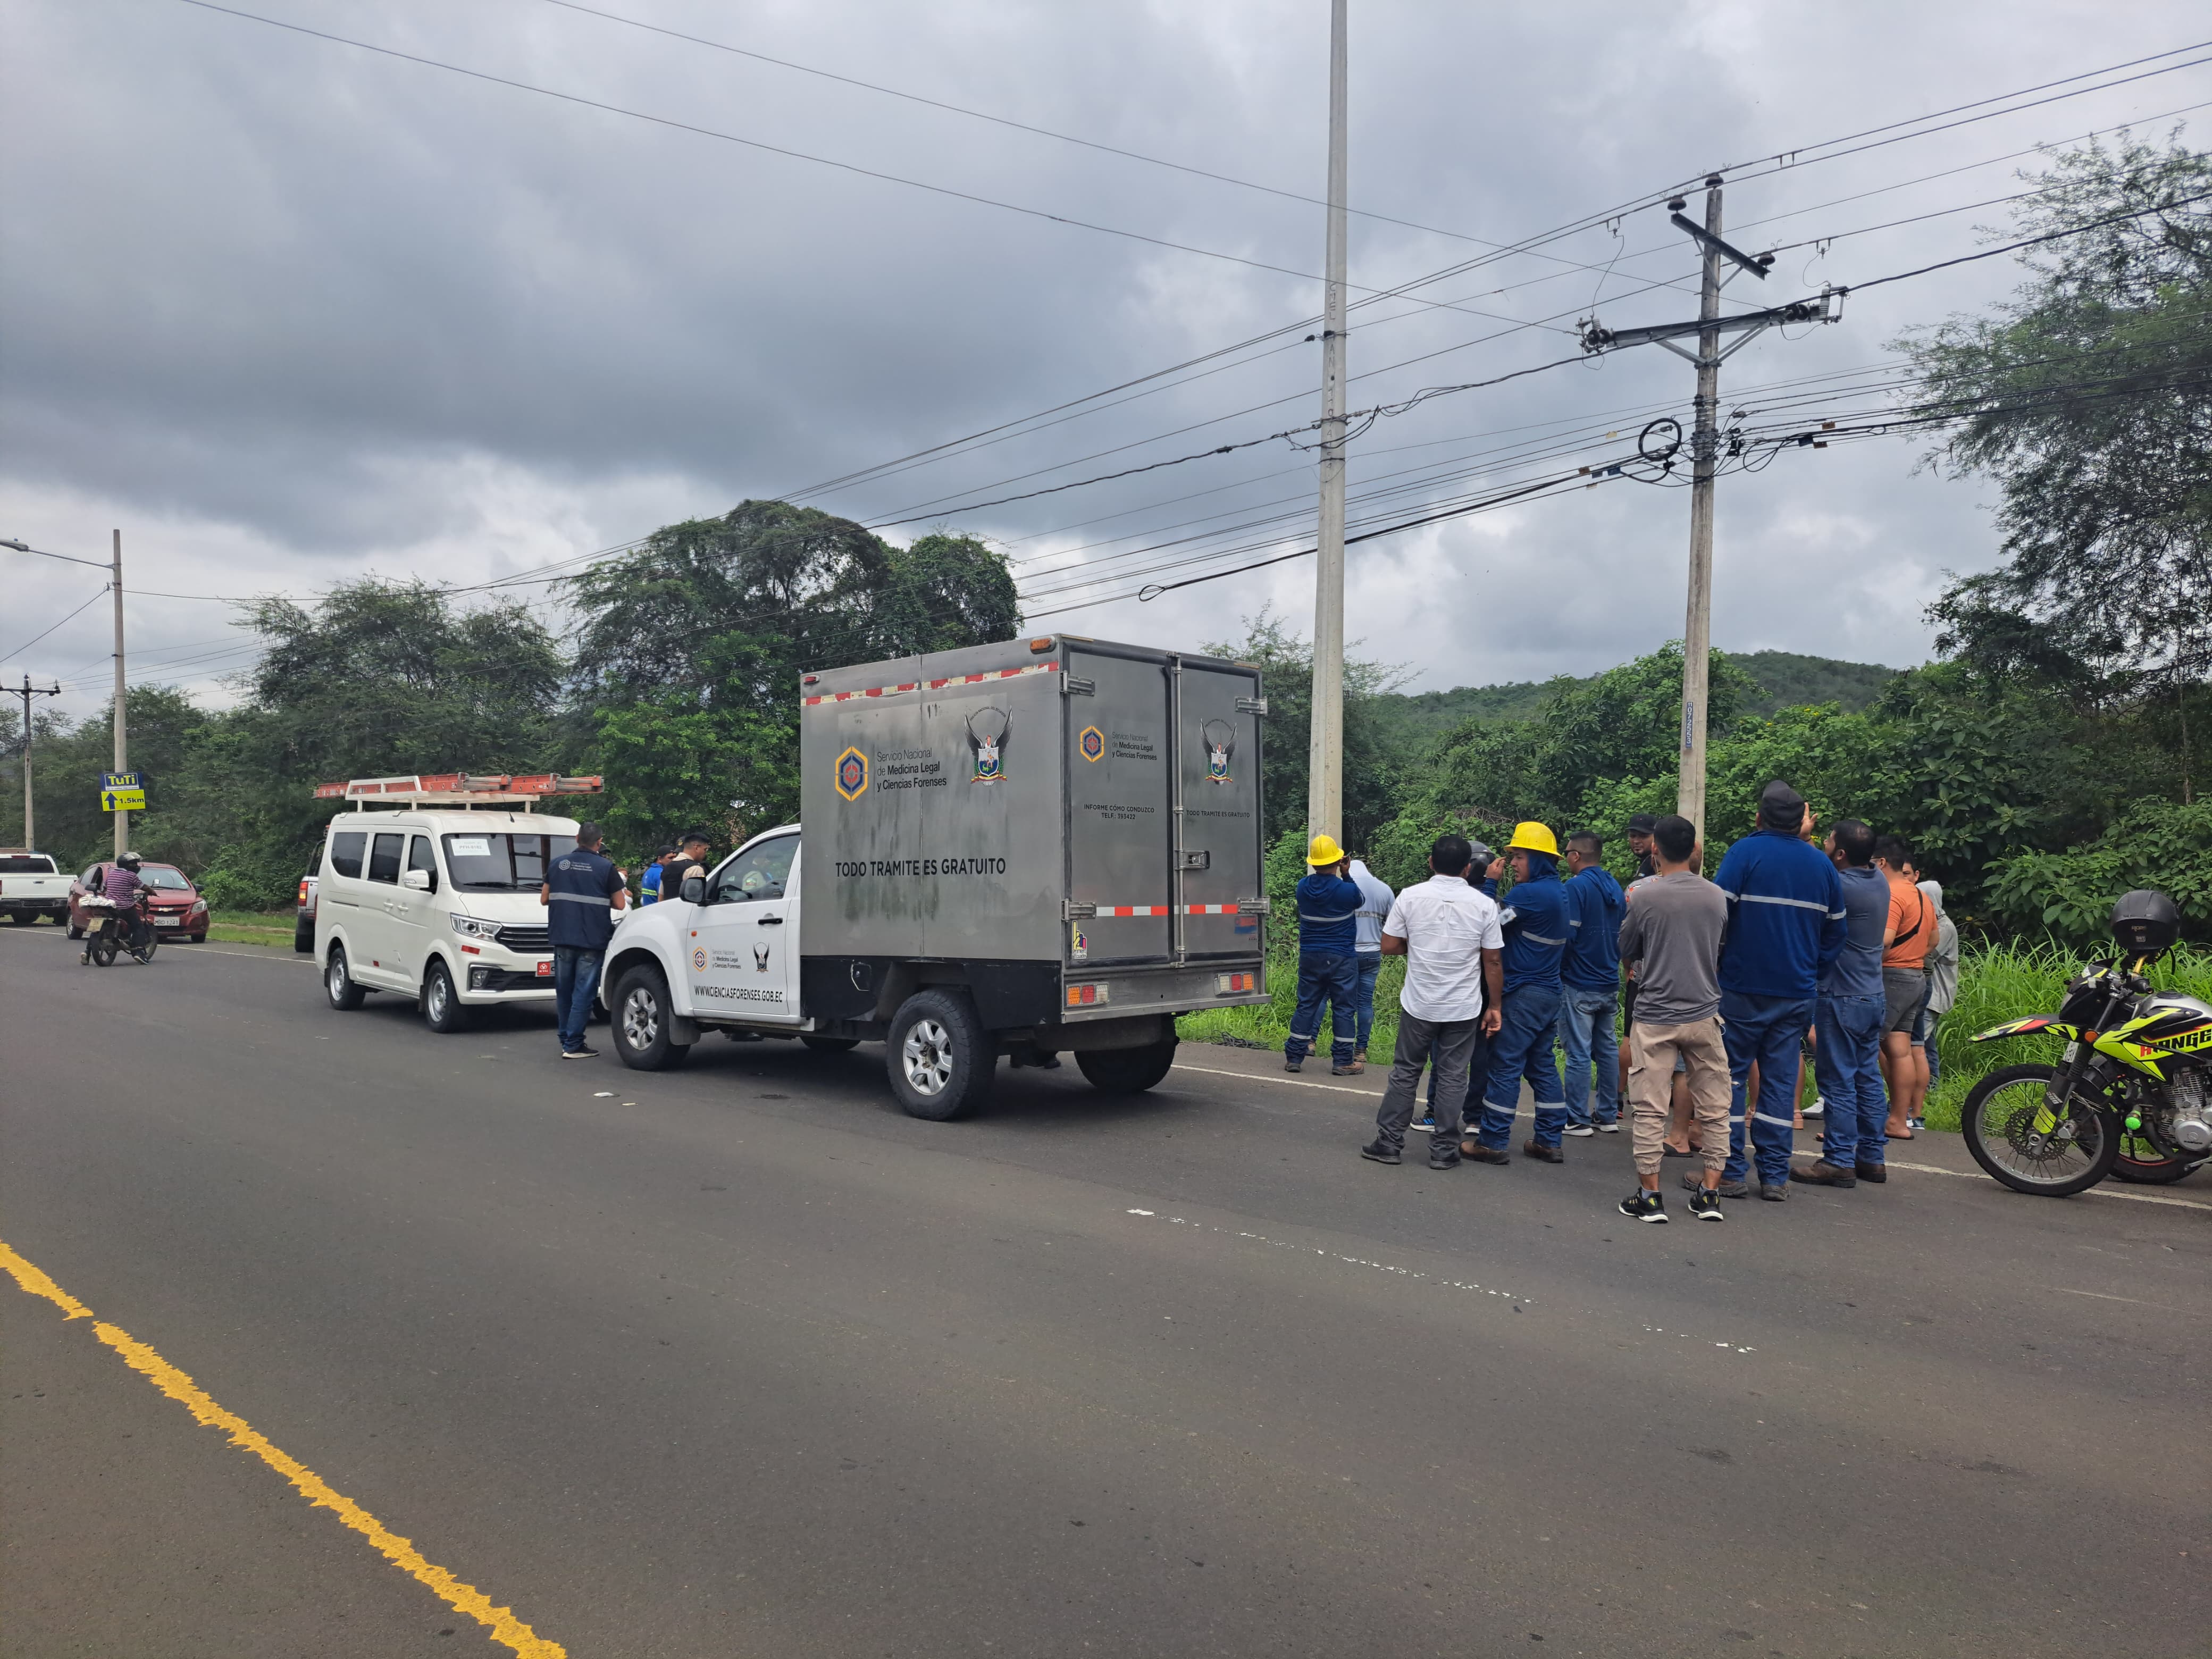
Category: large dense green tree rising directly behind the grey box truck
<point>691,649</point>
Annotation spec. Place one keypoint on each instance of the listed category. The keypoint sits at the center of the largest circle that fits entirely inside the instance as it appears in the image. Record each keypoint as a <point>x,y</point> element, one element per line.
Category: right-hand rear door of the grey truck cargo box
<point>1218,731</point>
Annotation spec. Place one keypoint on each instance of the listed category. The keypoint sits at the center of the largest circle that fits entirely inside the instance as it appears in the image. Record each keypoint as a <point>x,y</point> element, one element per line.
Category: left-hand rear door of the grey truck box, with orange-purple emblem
<point>1120,806</point>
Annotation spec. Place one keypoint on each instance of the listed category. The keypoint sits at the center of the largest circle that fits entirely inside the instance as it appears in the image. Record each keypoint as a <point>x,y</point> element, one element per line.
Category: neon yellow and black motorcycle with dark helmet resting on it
<point>2131,1094</point>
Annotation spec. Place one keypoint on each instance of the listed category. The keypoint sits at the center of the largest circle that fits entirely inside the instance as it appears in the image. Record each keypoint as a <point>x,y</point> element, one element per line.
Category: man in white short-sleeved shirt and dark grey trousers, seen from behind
<point>1452,946</point>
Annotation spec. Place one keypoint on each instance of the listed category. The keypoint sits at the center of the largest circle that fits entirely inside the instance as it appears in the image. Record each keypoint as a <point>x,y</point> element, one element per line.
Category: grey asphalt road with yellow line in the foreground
<point>742,1361</point>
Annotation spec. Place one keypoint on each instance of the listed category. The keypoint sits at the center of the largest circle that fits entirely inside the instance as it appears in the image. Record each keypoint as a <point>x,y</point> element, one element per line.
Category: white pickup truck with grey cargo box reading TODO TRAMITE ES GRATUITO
<point>1034,848</point>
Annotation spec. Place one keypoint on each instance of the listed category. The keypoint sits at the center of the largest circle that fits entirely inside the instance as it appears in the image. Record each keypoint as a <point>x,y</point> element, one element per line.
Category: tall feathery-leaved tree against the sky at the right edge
<point>2089,401</point>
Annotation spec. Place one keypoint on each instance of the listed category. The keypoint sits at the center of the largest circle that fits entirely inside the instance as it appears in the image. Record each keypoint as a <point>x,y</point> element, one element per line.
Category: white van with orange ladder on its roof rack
<point>437,906</point>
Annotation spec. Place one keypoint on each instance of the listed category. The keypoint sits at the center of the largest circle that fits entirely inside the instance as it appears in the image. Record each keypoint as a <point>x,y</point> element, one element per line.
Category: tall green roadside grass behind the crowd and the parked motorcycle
<point>1994,985</point>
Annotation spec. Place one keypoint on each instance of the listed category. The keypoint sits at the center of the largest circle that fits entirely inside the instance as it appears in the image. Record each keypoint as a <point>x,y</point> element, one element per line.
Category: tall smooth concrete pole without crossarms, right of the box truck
<point>1326,753</point>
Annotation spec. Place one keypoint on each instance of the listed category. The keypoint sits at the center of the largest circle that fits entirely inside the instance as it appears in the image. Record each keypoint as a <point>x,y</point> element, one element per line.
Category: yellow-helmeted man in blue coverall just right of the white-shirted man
<point>1536,926</point>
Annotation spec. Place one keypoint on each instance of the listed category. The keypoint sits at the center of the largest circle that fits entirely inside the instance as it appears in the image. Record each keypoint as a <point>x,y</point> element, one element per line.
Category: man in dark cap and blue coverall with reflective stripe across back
<point>1786,926</point>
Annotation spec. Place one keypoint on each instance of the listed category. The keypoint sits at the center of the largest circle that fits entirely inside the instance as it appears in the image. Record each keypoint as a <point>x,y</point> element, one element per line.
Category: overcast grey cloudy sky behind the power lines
<point>286,311</point>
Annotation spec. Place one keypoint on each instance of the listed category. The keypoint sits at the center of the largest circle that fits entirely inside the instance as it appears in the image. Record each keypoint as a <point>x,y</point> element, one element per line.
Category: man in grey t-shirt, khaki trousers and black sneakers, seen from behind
<point>1673,937</point>
